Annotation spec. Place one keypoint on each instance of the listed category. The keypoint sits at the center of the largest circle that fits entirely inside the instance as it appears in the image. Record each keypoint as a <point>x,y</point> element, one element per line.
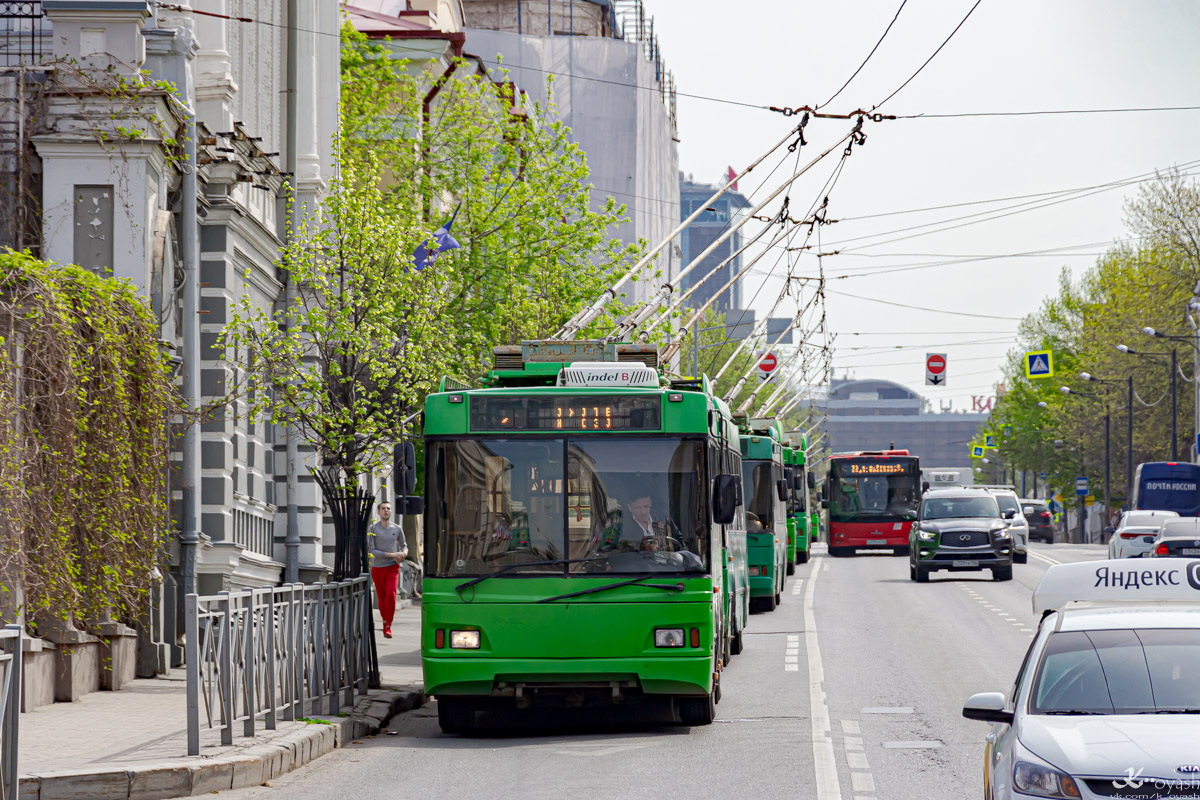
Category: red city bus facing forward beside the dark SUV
<point>872,497</point>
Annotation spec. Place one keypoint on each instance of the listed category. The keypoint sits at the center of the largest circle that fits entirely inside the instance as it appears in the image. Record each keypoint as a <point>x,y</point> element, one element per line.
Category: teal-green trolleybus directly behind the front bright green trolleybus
<point>766,497</point>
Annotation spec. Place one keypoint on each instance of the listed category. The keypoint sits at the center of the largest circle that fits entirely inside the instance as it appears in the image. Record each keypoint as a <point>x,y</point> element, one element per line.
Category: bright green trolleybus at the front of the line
<point>575,536</point>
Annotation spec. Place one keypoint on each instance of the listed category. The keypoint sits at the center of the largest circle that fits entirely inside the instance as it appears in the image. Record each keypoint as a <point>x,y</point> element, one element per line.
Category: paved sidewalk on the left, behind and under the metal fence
<point>146,726</point>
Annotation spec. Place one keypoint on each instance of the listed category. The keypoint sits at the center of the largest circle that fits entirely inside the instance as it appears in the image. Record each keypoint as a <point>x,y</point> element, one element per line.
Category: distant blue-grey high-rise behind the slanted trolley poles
<point>719,215</point>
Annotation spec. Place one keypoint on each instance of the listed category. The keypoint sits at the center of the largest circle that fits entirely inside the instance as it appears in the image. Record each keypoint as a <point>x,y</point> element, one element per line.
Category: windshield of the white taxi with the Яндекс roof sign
<point>1145,671</point>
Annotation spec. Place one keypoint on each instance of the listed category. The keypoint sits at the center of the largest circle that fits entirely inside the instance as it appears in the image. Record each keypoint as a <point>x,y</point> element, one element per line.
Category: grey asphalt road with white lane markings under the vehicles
<point>865,705</point>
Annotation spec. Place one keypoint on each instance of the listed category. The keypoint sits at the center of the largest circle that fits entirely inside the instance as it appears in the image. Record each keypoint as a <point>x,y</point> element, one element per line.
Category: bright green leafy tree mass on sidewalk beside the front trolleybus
<point>370,334</point>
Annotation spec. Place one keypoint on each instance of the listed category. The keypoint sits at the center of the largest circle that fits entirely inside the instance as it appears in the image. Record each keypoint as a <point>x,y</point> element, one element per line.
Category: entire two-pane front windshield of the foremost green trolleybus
<point>589,504</point>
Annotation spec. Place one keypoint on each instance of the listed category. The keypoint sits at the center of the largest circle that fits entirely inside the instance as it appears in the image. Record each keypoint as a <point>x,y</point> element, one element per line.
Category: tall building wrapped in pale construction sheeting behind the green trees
<point>611,87</point>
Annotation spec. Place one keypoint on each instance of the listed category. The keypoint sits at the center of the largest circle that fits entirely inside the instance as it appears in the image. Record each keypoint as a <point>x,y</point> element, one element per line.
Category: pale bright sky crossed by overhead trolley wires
<point>1011,56</point>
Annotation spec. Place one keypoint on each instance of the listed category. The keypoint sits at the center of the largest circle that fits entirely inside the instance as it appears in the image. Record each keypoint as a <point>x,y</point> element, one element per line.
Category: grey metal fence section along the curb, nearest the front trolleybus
<point>277,653</point>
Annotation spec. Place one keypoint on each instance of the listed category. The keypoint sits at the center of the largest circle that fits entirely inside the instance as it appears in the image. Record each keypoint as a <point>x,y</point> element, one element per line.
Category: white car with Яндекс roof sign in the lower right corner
<point>1107,703</point>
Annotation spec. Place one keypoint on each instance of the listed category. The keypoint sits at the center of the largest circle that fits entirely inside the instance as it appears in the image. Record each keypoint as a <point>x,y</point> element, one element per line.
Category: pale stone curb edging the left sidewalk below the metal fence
<point>253,767</point>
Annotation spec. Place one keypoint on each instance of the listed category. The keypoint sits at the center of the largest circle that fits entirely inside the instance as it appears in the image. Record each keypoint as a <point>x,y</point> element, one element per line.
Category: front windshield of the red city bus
<point>873,490</point>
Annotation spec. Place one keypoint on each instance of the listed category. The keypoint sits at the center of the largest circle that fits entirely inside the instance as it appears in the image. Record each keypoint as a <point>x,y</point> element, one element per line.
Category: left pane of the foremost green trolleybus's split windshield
<point>495,503</point>
